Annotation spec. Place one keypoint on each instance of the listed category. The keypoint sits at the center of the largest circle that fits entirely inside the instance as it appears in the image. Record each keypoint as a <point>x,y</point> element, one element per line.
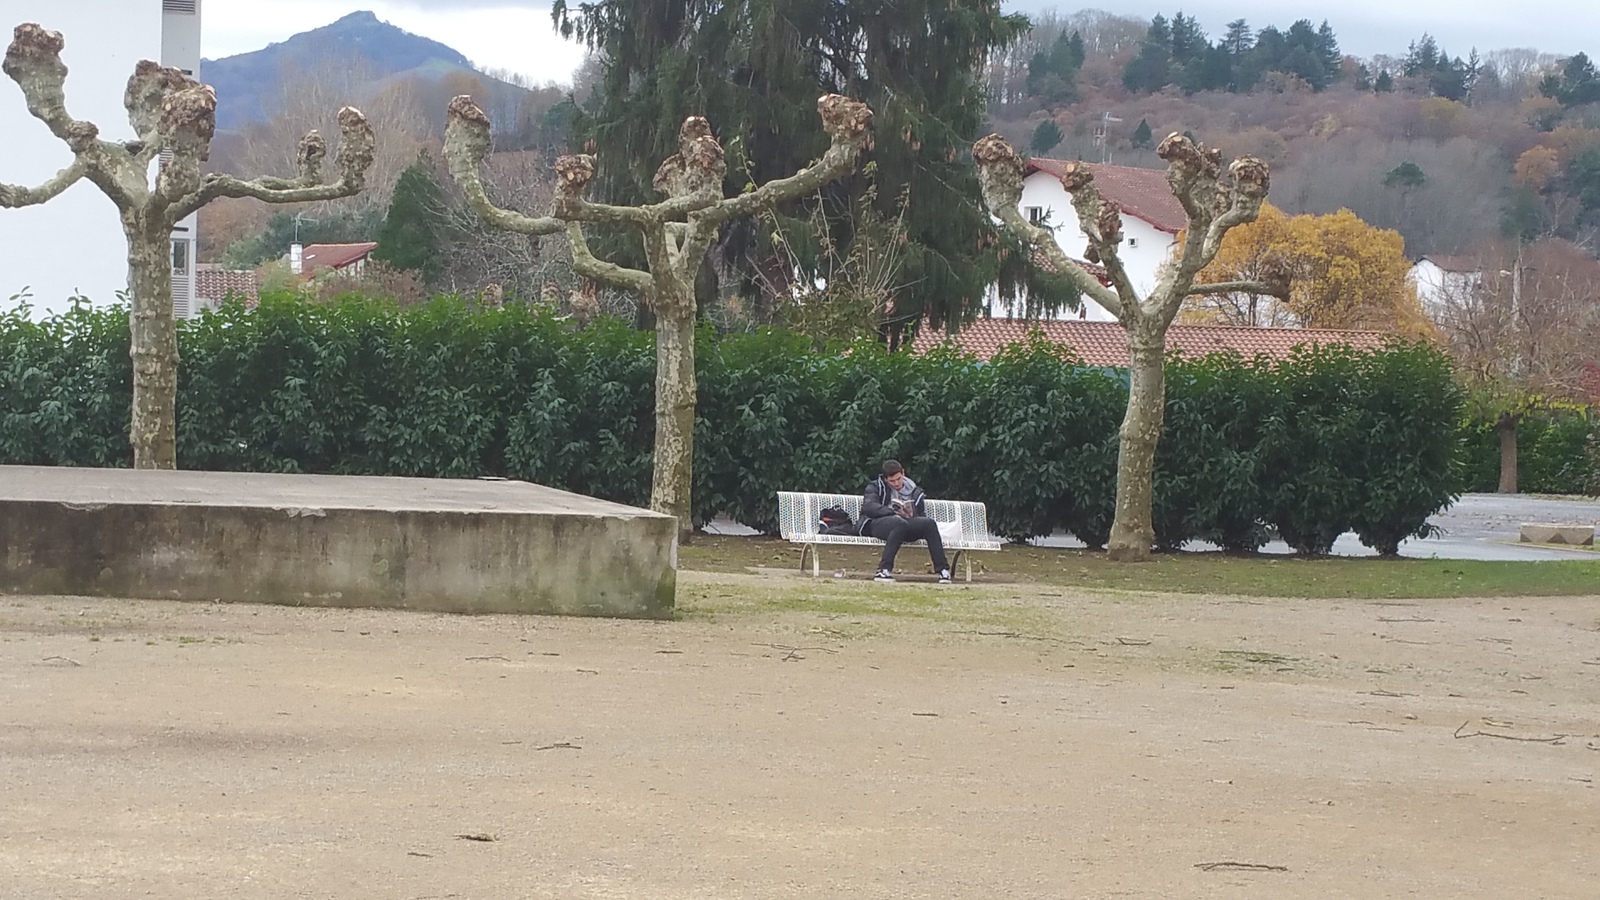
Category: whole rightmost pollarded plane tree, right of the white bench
<point>1214,203</point>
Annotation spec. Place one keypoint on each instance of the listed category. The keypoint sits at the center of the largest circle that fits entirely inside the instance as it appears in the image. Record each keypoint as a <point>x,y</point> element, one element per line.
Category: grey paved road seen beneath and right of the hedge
<point>1479,526</point>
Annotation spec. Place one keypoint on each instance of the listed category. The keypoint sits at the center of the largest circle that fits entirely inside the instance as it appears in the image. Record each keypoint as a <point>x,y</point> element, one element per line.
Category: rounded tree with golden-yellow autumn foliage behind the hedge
<point>1342,271</point>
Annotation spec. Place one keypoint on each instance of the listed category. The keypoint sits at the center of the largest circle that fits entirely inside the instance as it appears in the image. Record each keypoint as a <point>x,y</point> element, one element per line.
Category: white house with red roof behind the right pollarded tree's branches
<point>1151,222</point>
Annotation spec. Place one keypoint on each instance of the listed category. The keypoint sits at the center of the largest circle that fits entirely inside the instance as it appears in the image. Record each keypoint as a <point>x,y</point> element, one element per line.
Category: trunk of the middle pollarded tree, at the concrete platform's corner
<point>673,481</point>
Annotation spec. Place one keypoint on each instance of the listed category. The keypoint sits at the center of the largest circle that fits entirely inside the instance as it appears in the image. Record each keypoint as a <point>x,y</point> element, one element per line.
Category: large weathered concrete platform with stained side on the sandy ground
<point>442,545</point>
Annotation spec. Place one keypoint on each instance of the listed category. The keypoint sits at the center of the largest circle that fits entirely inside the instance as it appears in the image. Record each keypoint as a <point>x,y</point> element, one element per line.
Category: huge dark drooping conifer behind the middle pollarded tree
<point>756,71</point>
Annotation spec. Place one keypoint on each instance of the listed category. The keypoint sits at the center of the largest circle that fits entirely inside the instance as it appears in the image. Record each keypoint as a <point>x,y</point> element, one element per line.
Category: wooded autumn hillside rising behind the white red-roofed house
<point>1450,147</point>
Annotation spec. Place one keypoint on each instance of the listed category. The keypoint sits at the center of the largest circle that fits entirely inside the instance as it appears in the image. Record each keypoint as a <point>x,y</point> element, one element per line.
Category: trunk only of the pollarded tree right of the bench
<point>1134,531</point>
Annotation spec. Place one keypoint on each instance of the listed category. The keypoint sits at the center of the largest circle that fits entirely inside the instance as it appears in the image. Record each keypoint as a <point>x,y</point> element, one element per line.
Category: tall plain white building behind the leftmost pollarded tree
<point>73,246</point>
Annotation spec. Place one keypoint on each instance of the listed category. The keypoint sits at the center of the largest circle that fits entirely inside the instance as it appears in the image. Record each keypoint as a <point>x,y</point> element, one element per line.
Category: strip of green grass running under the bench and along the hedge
<point>1188,573</point>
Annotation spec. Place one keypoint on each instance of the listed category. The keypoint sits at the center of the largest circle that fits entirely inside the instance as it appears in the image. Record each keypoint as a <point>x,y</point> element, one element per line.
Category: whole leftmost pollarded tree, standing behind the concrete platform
<point>174,118</point>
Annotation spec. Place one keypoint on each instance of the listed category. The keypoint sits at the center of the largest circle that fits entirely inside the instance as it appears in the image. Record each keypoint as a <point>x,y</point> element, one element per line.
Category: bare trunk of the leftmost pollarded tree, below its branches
<point>154,428</point>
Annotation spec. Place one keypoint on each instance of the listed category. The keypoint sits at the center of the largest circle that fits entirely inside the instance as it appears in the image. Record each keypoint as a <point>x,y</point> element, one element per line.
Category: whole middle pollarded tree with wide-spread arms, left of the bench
<point>678,235</point>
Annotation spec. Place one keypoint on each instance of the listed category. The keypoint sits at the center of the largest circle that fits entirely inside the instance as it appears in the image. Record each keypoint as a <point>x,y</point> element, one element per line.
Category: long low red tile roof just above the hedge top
<point>1105,344</point>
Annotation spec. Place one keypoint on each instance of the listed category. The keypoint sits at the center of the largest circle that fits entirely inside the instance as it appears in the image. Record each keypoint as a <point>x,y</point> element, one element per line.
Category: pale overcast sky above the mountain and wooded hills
<point>518,34</point>
